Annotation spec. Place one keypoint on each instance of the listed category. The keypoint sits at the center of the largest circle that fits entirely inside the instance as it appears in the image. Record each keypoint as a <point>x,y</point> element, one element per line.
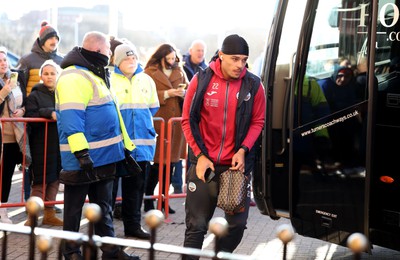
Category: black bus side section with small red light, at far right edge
<point>384,211</point>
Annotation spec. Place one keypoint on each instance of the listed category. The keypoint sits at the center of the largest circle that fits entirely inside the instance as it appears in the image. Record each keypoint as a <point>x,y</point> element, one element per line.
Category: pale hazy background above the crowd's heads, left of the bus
<point>135,25</point>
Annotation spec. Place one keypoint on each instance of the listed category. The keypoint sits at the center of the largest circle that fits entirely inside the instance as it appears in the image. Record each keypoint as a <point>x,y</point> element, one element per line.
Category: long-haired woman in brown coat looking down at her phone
<point>165,69</point>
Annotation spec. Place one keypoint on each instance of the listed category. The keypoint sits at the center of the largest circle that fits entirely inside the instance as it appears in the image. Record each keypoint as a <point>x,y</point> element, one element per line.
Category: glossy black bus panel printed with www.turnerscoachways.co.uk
<point>328,126</point>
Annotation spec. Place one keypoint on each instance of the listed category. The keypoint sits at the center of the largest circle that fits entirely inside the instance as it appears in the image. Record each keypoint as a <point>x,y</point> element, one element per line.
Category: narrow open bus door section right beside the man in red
<point>271,176</point>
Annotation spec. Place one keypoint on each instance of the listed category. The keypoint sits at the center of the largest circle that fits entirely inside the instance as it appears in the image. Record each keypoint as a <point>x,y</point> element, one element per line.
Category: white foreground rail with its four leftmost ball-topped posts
<point>42,237</point>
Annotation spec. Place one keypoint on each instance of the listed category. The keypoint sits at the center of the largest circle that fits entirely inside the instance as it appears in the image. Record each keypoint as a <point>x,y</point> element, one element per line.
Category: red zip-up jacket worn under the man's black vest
<point>217,123</point>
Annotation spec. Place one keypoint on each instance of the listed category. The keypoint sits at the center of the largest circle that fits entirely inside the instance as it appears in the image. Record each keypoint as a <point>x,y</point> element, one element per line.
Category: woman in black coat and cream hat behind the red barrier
<point>41,104</point>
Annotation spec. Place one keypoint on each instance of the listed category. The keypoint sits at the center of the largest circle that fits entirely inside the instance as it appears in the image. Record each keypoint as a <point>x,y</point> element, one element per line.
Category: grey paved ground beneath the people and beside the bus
<point>259,239</point>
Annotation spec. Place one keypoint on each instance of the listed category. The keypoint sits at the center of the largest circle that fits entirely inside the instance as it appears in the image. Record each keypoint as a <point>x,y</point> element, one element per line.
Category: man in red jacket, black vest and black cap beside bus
<point>223,116</point>
